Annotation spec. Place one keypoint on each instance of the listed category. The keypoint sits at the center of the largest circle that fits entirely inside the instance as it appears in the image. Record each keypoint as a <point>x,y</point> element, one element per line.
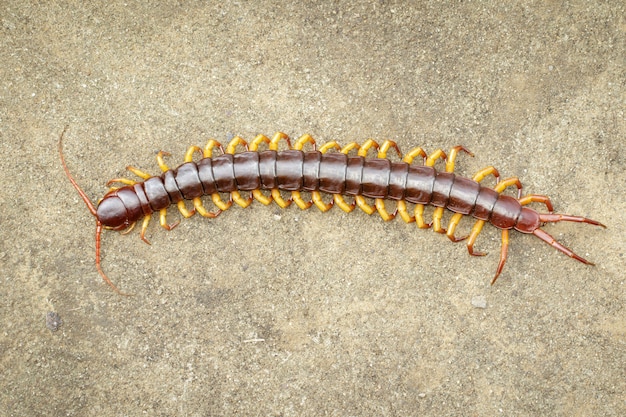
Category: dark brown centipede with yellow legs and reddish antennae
<point>271,174</point>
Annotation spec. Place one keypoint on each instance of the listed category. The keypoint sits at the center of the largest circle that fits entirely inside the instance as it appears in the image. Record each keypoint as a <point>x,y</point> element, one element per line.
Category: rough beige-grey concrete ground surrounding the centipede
<point>265,311</point>
